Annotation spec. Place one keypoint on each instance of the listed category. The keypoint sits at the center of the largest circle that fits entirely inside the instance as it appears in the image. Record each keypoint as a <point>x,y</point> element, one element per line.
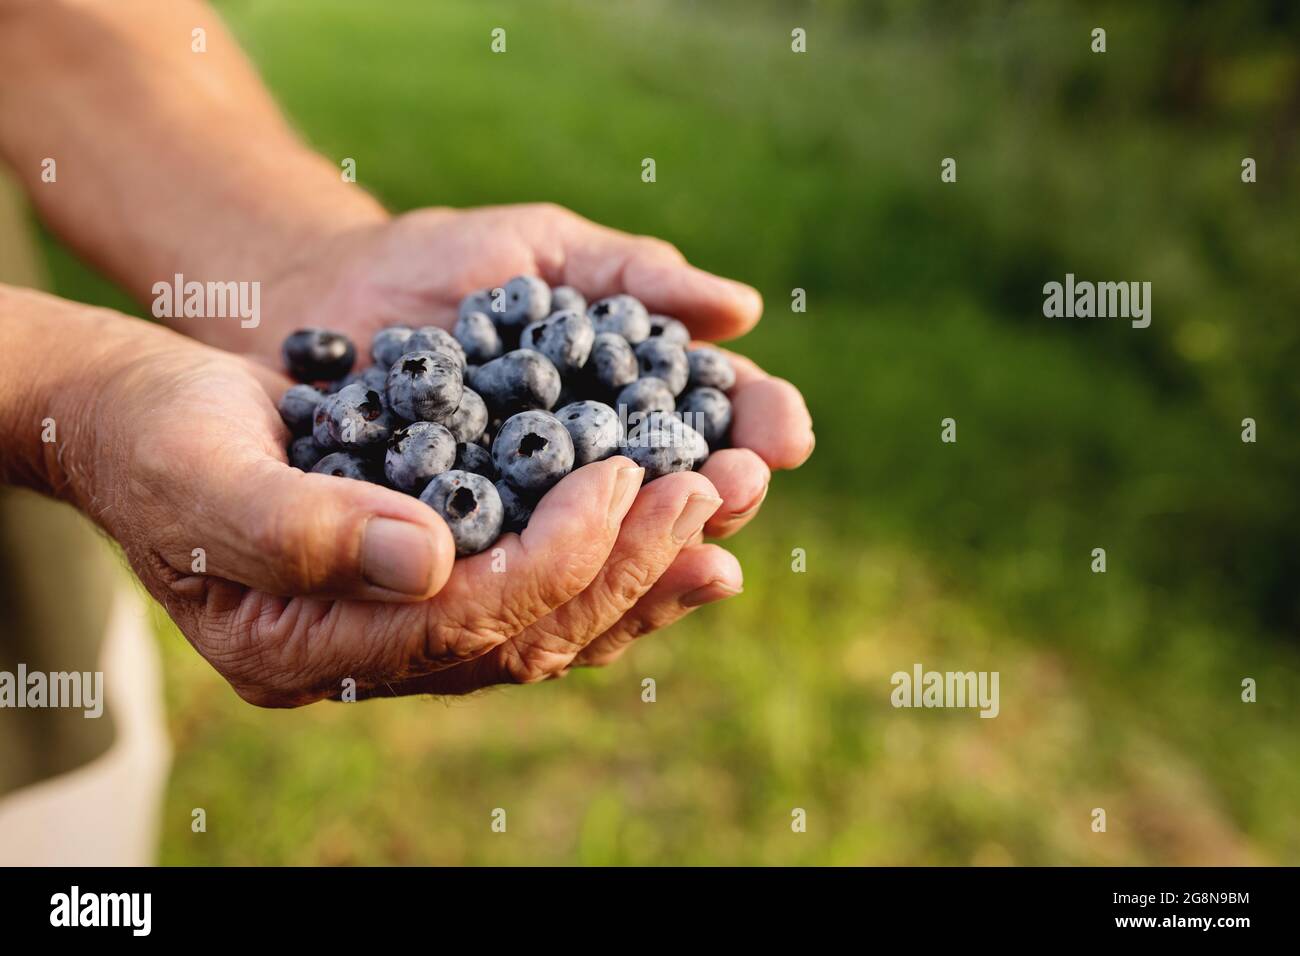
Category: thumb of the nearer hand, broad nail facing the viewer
<point>288,533</point>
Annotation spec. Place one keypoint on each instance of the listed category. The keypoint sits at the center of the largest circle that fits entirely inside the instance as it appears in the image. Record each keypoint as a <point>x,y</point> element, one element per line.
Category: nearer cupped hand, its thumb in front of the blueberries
<point>300,586</point>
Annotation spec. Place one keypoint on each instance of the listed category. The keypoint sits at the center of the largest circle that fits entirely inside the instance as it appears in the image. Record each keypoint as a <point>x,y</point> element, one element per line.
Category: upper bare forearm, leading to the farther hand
<point>167,161</point>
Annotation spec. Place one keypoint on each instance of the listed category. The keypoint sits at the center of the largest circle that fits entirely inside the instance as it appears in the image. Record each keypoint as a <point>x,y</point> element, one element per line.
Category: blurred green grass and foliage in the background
<point>821,171</point>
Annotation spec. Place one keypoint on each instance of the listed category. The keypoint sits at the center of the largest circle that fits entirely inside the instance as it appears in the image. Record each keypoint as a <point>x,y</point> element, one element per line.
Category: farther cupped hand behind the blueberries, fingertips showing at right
<point>415,270</point>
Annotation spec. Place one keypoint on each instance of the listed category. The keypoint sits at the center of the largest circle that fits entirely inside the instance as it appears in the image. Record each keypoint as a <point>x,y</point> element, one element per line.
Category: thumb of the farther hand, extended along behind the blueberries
<point>604,262</point>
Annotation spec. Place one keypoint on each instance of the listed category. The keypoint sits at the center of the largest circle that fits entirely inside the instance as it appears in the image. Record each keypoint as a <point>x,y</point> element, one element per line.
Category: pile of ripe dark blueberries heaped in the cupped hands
<point>465,419</point>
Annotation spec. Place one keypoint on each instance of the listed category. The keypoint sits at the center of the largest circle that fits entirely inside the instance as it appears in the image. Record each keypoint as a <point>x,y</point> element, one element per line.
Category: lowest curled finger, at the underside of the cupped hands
<point>701,576</point>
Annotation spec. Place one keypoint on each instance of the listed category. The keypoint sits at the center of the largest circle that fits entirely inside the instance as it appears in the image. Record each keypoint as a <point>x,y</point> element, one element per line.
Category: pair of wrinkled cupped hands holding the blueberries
<point>310,581</point>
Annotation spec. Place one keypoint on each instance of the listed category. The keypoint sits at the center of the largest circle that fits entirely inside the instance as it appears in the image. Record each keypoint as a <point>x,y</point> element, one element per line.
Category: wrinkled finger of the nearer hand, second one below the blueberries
<point>668,514</point>
